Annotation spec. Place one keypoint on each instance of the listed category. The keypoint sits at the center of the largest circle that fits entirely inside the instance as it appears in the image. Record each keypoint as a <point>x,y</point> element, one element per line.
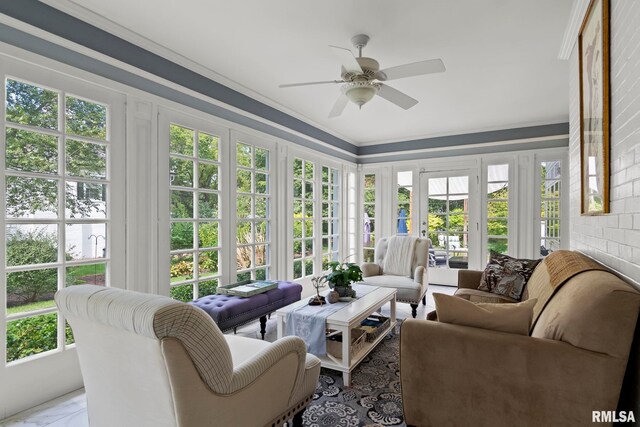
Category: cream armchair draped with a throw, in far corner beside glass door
<point>411,288</point>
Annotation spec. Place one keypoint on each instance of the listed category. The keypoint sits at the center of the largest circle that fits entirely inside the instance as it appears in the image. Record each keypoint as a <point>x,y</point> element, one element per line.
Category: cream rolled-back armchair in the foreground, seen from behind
<point>148,360</point>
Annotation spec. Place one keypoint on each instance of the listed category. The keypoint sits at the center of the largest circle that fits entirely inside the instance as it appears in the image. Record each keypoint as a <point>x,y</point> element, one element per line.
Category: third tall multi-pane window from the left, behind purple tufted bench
<point>253,214</point>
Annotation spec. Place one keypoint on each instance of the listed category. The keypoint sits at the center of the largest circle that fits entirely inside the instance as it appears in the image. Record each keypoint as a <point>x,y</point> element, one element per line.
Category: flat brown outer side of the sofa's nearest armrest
<point>499,377</point>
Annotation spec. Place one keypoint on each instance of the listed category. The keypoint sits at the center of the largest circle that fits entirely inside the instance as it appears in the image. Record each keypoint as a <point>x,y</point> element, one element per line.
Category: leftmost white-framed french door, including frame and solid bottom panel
<point>62,179</point>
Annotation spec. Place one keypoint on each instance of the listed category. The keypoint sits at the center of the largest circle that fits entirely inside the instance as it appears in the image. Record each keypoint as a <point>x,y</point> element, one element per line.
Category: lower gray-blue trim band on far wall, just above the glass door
<point>468,151</point>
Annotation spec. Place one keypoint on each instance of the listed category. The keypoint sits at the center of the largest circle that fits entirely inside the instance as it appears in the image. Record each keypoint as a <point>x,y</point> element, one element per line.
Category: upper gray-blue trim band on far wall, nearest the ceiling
<point>468,138</point>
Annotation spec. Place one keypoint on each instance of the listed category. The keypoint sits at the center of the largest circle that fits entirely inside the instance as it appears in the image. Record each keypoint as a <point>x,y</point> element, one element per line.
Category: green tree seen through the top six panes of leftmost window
<point>36,152</point>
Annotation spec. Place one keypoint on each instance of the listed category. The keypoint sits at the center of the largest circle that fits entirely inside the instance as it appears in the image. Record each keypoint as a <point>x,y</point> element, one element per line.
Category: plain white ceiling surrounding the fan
<point>501,56</point>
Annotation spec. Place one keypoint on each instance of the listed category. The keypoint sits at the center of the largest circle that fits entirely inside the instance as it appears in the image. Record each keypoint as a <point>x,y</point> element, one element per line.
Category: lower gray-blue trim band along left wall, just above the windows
<point>53,51</point>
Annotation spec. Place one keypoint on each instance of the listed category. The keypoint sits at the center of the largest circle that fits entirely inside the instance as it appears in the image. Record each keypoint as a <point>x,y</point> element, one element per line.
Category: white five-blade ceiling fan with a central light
<point>362,78</point>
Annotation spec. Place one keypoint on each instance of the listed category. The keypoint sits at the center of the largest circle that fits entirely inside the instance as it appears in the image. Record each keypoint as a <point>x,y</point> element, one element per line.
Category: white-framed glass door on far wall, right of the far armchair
<point>449,217</point>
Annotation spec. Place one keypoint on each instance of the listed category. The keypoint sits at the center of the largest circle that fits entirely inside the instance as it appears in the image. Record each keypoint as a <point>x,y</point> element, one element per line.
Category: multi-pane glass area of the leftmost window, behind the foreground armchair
<point>59,208</point>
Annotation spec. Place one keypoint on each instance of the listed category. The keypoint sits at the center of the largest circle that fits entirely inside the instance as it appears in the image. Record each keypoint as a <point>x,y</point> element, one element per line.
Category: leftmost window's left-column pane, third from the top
<point>31,197</point>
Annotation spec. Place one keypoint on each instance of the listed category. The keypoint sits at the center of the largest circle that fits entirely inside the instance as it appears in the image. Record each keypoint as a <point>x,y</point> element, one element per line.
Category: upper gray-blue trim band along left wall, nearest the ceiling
<point>68,27</point>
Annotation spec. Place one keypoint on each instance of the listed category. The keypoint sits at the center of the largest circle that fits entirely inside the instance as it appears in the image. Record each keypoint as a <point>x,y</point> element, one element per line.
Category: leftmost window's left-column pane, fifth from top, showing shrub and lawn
<point>31,290</point>
